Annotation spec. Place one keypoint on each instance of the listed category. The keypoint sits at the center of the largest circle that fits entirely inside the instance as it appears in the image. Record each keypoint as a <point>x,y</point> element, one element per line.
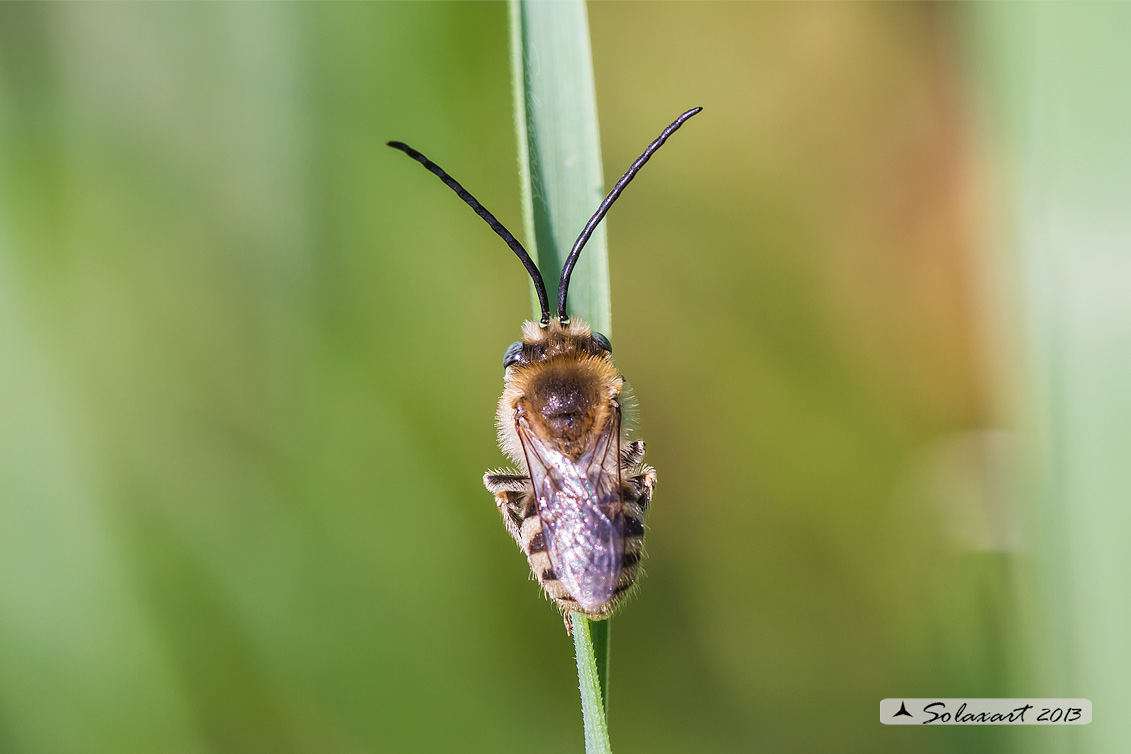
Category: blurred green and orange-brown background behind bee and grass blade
<point>249,361</point>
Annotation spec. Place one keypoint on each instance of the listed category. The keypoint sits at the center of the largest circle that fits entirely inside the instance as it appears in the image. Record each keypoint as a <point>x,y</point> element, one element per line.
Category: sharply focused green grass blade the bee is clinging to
<point>556,120</point>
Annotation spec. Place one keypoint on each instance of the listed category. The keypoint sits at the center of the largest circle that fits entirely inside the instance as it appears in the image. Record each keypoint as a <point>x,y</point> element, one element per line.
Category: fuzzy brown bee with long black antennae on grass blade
<point>577,504</point>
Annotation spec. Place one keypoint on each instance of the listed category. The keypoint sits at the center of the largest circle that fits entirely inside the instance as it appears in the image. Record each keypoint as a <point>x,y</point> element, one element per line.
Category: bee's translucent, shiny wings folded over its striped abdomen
<point>582,510</point>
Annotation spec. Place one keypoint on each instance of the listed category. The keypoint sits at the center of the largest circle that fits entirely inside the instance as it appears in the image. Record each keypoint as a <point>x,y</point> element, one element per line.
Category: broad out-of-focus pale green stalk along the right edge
<point>1057,98</point>
